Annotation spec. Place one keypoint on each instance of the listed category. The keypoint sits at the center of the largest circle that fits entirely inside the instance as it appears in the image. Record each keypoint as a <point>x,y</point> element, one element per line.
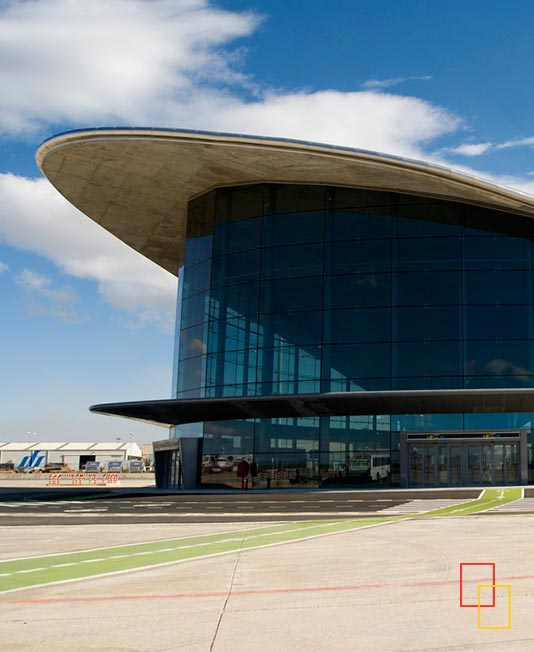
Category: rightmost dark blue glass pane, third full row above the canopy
<point>495,287</point>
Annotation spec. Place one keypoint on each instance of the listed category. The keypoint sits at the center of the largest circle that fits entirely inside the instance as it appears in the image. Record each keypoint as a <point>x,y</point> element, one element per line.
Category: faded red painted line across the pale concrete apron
<point>220,594</point>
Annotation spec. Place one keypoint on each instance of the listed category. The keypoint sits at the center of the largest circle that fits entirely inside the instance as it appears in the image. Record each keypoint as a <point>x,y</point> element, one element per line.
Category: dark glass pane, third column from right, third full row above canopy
<point>358,290</point>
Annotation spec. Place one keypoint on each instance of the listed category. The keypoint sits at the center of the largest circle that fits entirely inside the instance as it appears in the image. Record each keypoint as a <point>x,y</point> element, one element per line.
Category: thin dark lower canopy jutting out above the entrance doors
<point>440,401</point>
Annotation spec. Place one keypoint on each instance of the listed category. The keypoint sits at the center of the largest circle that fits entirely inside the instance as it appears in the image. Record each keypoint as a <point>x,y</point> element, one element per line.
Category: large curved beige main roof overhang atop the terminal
<point>136,183</point>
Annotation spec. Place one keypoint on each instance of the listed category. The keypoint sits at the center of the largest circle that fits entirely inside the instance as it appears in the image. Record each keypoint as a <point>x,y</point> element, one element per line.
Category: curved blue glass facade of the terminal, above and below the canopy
<point>291,289</point>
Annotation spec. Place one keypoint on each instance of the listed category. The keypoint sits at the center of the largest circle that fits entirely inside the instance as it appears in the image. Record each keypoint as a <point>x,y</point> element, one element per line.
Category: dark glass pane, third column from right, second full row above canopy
<point>357,325</point>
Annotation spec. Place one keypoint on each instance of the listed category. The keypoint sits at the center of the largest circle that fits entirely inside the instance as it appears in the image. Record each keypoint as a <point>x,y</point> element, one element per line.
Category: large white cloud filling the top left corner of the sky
<point>66,61</point>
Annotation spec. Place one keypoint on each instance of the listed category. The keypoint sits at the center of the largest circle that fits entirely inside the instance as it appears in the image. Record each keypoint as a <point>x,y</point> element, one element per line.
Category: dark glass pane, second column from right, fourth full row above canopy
<point>411,254</point>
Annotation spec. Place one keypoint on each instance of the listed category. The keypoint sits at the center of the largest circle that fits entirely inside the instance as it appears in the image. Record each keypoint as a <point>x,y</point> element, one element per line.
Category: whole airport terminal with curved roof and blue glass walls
<point>345,318</point>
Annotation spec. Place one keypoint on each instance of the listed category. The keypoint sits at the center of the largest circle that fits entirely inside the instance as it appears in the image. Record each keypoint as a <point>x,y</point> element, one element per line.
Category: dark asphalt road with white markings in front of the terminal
<point>68,507</point>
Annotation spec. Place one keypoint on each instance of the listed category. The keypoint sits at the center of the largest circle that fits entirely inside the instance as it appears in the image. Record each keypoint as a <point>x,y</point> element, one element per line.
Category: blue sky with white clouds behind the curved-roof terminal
<point>83,318</point>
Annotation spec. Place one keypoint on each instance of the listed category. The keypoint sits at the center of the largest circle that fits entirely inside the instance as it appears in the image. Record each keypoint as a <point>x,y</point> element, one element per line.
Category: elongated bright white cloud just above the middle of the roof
<point>383,122</point>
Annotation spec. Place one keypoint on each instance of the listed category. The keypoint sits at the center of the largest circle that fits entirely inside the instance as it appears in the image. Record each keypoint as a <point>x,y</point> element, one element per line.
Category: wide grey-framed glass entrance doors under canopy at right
<point>463,459</point>
